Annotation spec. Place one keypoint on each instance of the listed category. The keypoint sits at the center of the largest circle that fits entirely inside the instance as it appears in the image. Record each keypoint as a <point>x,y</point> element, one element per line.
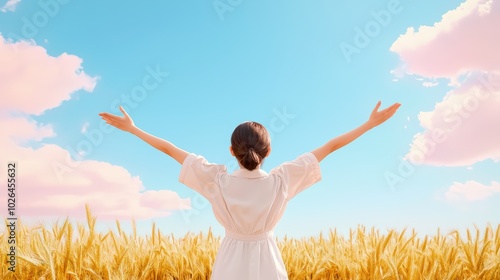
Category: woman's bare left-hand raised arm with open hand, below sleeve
<point>126,123</point>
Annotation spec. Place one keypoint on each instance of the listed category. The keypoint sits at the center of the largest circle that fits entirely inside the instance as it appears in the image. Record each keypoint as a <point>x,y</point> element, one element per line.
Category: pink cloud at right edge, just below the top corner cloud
<point>462,128</point>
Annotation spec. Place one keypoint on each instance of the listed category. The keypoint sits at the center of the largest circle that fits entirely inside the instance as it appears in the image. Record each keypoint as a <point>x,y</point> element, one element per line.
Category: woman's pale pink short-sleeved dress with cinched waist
<point>249,204</point>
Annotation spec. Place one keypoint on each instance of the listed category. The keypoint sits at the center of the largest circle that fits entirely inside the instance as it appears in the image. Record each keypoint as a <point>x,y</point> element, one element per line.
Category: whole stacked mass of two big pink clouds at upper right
<point>463,48</point>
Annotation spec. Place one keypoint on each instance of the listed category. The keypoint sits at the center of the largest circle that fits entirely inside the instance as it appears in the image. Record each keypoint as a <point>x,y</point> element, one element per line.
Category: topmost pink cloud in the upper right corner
<point>466,39</point>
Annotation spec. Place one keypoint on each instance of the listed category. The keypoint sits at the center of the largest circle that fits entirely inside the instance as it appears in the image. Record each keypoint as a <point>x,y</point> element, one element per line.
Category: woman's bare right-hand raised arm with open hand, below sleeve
<point>376,118</point>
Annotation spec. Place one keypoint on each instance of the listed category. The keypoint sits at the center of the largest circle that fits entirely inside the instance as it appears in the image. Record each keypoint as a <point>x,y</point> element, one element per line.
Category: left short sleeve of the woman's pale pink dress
<point>200,175</point>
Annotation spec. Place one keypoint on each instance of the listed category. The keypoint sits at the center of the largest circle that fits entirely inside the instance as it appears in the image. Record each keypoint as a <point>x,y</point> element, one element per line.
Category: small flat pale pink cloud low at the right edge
<point>471,191</point>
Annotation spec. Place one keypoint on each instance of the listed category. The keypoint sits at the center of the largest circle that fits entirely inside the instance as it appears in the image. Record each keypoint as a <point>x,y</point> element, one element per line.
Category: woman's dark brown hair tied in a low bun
<point>250,142</point>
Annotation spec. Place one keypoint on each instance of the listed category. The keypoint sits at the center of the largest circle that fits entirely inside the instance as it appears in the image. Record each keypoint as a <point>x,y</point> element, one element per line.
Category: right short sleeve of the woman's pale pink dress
<point>299,174</point>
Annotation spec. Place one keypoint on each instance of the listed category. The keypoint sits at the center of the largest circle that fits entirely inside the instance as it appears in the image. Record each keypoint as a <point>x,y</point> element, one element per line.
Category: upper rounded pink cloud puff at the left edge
<point>31,81</point>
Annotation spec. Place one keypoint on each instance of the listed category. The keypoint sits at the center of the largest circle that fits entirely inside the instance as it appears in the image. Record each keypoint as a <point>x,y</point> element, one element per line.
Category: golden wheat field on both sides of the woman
<point>79,252</point>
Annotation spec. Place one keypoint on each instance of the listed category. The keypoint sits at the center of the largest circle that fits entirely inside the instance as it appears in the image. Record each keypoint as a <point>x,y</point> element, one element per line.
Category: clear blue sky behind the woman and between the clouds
<point>278,63</point>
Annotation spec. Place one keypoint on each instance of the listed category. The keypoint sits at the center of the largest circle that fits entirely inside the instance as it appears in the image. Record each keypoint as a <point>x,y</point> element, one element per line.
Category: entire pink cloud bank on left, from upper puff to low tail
<point>51,183</point>
